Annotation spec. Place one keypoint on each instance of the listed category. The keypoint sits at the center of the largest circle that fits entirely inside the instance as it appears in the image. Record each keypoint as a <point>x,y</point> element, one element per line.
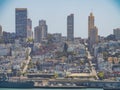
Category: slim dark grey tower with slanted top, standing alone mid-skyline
<point>70,27</point>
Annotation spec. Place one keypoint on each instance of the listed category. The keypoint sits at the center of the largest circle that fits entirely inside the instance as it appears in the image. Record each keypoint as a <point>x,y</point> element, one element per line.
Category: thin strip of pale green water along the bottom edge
<point>52,89</point>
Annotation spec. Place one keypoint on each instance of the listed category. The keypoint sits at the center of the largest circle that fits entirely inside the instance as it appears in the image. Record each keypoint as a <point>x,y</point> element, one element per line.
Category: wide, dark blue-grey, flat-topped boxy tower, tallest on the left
<point>21,22</point>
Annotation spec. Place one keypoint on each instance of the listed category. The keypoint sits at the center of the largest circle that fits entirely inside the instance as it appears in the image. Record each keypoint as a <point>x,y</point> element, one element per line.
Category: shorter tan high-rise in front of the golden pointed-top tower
<point>93,39</point>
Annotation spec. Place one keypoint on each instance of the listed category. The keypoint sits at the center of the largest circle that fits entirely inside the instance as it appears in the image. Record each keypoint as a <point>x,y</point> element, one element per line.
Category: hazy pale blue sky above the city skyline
<point>55,12</point>
